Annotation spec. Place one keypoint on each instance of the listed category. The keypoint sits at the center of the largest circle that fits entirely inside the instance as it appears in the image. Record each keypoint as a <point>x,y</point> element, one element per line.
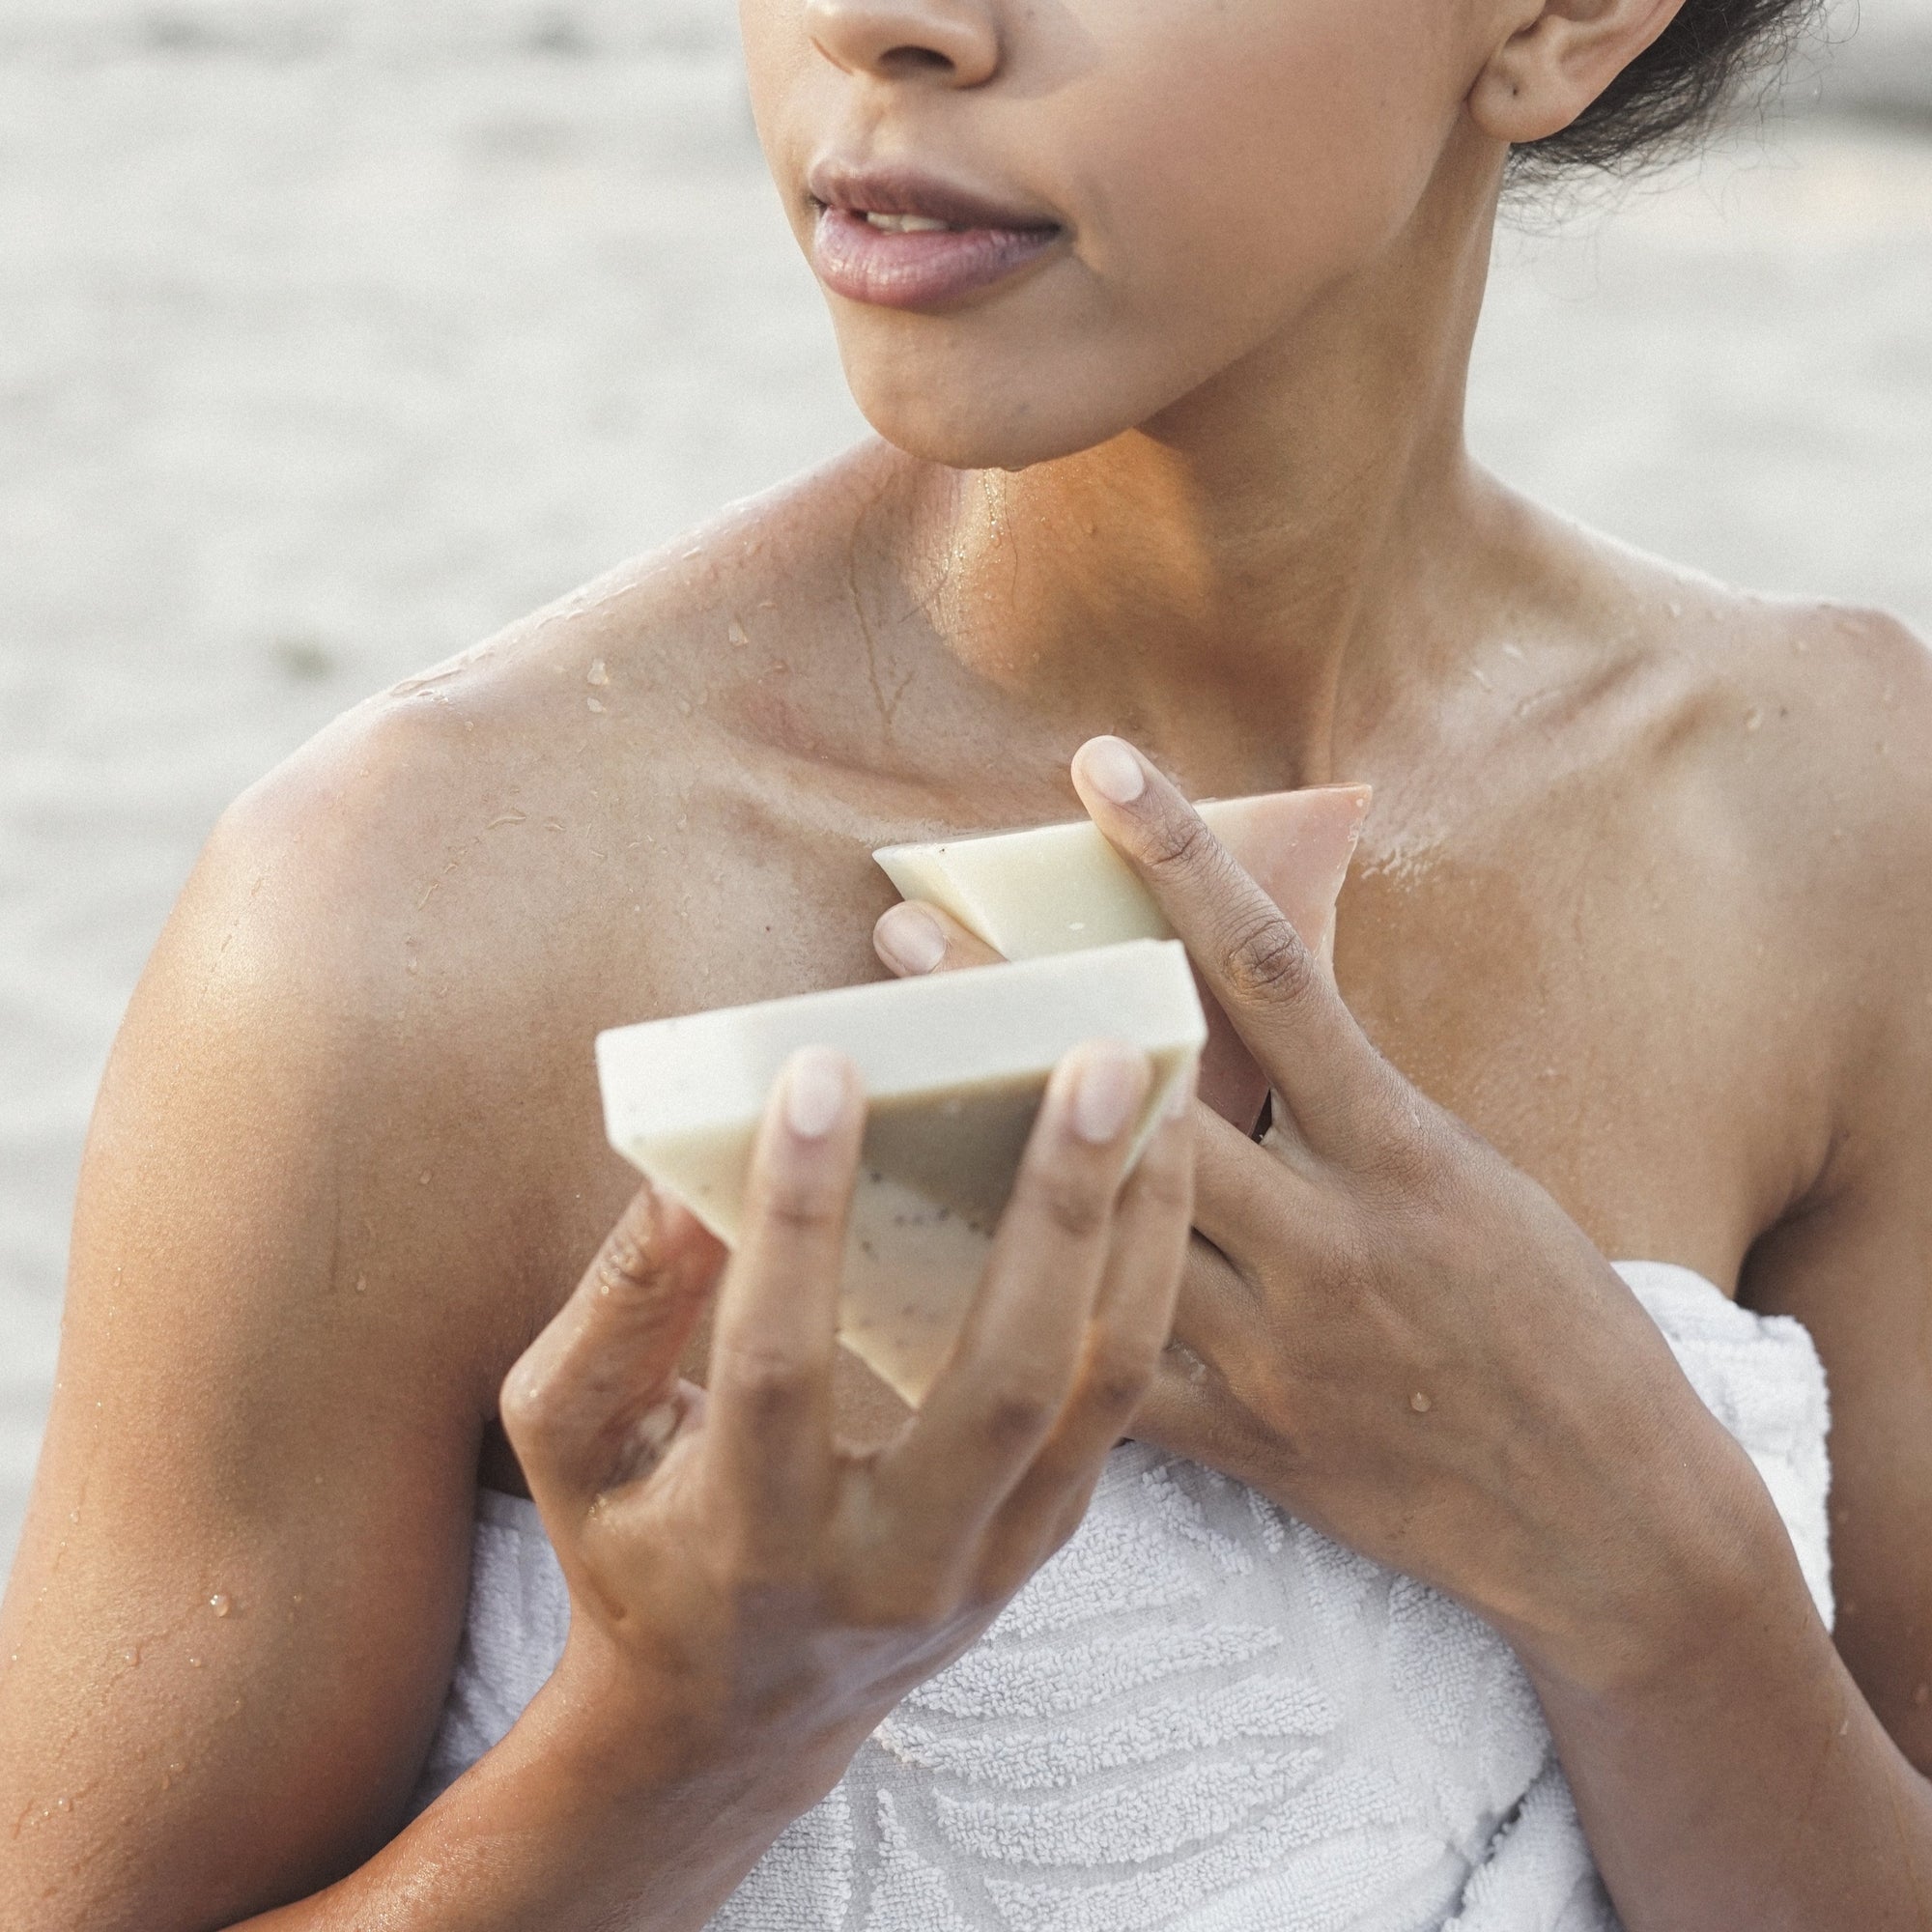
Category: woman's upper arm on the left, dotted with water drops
<point>239,1593</point>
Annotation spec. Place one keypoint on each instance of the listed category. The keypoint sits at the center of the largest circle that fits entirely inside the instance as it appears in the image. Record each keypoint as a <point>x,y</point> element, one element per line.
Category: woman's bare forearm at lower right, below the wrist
<point>1738,1778</point>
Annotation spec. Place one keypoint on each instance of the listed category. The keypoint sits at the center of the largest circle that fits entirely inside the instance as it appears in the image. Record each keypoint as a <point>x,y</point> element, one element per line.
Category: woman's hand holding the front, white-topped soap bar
<point>745,1591</point>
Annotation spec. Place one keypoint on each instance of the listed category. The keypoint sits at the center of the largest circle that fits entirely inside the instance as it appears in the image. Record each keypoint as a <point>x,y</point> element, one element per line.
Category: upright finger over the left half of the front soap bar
<point>770,1413</point>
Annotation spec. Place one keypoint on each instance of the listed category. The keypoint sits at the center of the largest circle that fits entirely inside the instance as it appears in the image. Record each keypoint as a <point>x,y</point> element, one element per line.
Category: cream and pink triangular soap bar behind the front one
<point>1058,888</point>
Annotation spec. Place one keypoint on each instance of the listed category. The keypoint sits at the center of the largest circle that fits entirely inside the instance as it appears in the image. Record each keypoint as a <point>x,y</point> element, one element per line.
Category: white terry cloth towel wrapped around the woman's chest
<point>1201,1715</point>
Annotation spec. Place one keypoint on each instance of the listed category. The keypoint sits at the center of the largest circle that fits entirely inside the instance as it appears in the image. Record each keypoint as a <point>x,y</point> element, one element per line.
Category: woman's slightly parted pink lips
<point>913,244</point>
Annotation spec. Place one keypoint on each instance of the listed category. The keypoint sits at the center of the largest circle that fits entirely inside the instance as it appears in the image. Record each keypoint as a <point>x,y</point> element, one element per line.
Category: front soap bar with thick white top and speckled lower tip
<point>953,1071</point>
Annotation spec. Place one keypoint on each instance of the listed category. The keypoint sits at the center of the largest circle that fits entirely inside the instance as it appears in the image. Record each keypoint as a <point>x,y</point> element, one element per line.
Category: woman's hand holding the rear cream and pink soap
<point>1390,1330</point>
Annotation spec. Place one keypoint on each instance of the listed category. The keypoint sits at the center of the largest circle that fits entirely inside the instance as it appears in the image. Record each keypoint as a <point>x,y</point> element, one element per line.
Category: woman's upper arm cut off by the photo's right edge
<point>1856,1261</point>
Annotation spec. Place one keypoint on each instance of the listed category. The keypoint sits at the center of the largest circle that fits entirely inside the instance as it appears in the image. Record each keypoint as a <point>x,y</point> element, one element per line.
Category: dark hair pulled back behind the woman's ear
<point>1666,99</point>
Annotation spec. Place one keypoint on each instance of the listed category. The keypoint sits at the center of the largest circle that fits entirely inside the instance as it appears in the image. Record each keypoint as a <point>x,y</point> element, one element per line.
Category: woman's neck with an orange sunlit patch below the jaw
<point>1268,563</point>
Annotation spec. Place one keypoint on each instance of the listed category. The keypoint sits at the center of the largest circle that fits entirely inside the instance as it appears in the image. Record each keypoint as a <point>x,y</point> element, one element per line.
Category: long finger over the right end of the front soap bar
<point>1015,1363</point>
